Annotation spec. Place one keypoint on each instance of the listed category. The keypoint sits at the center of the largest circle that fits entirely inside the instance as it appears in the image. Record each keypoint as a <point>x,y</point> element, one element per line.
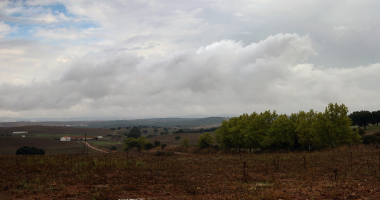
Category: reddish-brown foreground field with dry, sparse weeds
<point>344,174</point>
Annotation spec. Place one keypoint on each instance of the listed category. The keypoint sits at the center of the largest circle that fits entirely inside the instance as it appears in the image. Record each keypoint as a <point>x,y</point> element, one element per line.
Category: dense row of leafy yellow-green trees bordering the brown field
<point>307,130</point>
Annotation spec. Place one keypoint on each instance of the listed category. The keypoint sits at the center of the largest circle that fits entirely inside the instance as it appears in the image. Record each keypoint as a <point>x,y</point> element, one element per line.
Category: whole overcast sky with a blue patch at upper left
<point>161,58</point>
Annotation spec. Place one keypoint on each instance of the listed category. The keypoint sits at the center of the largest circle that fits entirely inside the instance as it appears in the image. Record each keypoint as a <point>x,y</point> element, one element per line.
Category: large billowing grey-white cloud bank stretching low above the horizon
<point>224,77</point>
